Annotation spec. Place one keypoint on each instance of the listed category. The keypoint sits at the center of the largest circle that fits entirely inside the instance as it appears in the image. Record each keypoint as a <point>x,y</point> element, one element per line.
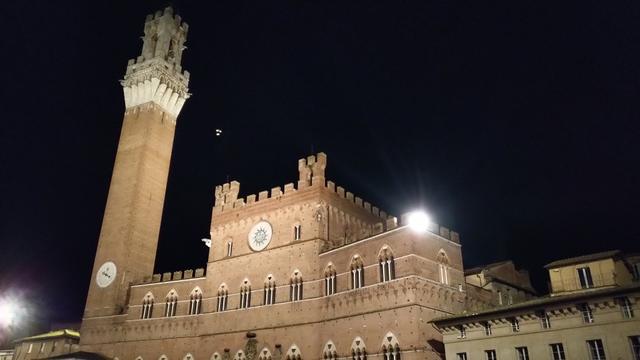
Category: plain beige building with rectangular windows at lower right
<point>591,313</point>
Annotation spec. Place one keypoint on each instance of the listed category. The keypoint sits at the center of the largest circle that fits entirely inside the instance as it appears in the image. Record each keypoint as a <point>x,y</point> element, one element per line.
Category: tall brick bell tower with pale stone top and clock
<point>155,89</point>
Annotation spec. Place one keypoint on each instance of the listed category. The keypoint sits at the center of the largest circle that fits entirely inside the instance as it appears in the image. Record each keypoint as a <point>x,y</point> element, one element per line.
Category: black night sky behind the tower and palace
<point>515,123</point>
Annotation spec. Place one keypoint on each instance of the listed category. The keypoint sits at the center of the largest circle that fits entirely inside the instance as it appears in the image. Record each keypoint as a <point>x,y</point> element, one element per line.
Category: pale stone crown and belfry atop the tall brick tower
<point>156,75</point>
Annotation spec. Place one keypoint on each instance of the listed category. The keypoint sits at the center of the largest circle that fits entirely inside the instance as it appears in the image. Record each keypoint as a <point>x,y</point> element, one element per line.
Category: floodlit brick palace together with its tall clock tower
<point>304,271</point>
